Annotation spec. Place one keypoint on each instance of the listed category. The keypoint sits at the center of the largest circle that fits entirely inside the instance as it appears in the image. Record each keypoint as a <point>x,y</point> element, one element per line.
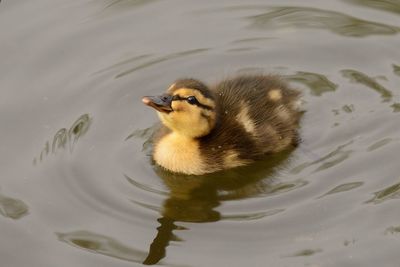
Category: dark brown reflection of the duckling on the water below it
<point>194,198</point>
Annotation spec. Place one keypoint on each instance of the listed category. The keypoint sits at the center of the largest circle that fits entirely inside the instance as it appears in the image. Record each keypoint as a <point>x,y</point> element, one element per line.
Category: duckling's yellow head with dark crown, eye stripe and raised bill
<point>187,108</point>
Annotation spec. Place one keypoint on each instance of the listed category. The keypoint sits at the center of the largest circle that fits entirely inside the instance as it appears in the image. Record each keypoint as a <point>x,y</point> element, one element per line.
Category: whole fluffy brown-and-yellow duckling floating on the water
<point>234,123</point>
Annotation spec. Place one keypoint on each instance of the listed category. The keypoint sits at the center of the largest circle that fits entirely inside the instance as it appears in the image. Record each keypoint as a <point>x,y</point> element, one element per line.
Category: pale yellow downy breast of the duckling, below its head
<point>179,153</point>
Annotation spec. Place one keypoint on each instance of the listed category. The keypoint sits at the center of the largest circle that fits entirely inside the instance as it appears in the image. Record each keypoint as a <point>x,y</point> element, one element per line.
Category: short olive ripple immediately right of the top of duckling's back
<point>317,83</point>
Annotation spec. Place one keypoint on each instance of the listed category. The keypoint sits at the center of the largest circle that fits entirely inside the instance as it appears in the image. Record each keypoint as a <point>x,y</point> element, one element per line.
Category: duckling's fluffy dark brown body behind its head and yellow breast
<point>257,114</point>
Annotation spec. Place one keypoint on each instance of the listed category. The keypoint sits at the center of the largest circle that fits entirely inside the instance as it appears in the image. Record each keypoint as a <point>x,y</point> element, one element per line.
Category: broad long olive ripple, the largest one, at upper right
<point>313,18</point>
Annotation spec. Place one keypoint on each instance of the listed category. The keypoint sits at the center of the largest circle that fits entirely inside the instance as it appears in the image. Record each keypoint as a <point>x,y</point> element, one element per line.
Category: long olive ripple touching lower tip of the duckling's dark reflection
<point>101,244</point>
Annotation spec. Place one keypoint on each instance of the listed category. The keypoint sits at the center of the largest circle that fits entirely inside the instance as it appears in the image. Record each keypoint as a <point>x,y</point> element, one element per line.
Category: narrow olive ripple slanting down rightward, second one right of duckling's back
<point>361,78</point>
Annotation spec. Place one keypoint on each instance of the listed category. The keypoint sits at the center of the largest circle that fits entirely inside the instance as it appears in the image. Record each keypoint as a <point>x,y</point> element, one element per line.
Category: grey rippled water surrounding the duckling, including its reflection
<point>78,188</point>
